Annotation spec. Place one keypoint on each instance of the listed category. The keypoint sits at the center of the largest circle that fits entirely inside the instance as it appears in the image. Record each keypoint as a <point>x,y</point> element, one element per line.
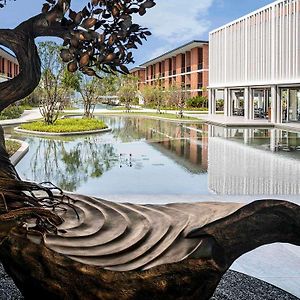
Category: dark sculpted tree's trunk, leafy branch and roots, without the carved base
<point>99,37</point>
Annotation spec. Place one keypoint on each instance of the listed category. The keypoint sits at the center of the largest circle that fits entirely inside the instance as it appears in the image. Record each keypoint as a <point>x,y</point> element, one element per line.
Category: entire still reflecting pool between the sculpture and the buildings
<point>146,156</point>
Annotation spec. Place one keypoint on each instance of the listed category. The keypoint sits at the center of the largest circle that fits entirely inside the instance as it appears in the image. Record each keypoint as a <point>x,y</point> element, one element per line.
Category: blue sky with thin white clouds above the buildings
<point>172,22</point>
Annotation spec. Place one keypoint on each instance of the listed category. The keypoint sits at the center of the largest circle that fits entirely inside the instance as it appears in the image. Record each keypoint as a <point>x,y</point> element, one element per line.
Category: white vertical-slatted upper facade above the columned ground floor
<point>261,48</point>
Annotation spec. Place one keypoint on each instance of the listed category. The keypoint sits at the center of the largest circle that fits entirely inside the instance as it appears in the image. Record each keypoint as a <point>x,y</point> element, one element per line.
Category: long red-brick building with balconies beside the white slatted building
<point>185,66</point>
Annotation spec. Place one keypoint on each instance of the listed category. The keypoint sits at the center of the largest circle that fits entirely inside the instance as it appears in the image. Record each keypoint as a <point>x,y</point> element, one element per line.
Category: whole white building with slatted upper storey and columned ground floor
<point>255,64</point>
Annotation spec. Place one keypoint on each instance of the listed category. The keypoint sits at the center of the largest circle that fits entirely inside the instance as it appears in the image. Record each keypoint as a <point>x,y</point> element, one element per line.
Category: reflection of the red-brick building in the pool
<point>185,144</point>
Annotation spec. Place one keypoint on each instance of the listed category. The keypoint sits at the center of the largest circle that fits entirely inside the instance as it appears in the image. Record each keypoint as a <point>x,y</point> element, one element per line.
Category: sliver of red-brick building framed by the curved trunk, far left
<point>9,66</point>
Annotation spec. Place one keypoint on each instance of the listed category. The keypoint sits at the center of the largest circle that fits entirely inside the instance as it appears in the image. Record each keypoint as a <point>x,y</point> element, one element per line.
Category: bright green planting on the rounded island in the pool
<point>66,125</point>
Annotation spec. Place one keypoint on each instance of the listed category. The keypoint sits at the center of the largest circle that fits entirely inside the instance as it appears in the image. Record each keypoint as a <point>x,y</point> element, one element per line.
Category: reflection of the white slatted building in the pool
<point>240,163</point>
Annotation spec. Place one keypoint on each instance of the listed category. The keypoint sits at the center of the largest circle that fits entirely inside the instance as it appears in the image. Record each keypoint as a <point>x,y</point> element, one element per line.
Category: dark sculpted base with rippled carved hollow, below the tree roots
<point>129,251</point>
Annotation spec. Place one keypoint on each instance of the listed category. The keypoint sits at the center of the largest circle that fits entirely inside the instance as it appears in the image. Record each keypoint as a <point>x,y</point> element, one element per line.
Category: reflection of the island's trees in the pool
<point>69,165</point>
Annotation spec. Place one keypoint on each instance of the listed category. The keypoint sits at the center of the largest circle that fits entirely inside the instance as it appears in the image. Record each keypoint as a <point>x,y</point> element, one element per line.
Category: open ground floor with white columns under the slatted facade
<point>277,104</point>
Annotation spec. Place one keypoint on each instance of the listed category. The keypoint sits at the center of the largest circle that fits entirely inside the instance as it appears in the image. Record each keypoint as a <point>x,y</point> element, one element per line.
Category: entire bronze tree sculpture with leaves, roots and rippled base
<point>65,246</point>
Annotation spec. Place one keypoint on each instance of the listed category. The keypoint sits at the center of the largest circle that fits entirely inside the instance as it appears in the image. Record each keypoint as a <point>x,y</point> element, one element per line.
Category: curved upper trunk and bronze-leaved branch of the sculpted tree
<point>99,38</point>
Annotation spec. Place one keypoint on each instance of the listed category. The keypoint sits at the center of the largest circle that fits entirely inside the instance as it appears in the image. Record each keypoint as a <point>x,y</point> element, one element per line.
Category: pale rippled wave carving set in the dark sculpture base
<point>125,237</point>
